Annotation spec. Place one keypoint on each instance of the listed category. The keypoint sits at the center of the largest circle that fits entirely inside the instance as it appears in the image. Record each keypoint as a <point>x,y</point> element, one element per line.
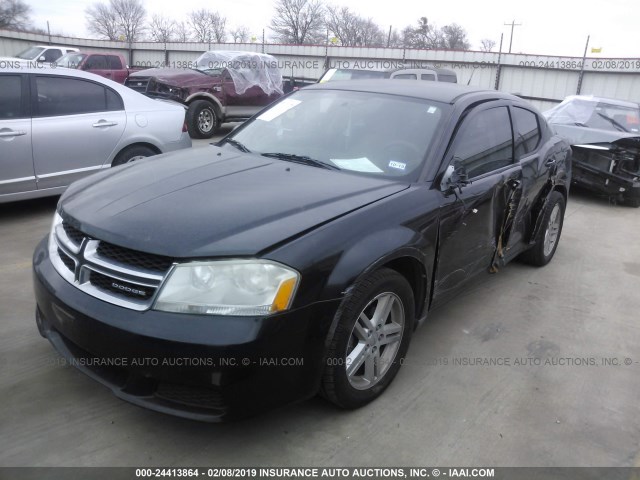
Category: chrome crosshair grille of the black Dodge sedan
<point>115,274</point>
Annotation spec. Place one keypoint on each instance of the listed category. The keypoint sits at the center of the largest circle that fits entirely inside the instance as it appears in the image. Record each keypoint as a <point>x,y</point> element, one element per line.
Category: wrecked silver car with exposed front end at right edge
<point>605,138</point>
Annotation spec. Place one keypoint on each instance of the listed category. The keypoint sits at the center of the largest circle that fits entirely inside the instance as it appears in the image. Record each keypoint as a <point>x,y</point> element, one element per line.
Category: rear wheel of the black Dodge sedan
<point>548,237</point>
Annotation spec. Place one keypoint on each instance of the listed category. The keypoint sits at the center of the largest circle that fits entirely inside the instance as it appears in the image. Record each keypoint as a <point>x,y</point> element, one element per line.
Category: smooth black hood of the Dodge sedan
<point>210,202</point>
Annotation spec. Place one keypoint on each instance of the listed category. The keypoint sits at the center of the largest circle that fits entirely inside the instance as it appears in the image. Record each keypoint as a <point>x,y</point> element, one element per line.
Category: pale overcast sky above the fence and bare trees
<point>550,27</point>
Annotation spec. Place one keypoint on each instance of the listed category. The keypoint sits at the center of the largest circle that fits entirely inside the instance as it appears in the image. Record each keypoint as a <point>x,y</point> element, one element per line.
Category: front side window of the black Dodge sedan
<point>485,142</point>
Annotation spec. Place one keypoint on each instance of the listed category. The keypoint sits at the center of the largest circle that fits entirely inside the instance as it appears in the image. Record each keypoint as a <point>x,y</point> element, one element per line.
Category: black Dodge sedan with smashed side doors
<point>298,255</point>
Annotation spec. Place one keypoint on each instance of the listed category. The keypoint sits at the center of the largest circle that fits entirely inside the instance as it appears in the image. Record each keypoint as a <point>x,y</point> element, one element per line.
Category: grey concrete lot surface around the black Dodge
<point>520,370</point>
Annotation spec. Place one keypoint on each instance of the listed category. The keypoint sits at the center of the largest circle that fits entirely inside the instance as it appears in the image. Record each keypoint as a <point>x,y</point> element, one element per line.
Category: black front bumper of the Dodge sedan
<point>207,368</point>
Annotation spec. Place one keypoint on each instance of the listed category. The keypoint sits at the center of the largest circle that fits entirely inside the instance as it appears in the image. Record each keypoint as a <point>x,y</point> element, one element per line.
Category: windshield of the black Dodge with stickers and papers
<point>369,134</point>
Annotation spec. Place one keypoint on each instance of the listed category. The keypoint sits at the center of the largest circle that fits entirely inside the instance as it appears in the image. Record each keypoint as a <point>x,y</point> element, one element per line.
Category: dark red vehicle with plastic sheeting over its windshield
<point>221,87</point>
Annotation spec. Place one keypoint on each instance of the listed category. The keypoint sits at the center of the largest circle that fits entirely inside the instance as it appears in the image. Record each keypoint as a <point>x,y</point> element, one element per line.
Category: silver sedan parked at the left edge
<point>58,125</point>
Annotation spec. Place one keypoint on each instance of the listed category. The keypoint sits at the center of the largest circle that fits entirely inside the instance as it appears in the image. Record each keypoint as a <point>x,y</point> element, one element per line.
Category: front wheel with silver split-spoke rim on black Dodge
<point>350,379</point>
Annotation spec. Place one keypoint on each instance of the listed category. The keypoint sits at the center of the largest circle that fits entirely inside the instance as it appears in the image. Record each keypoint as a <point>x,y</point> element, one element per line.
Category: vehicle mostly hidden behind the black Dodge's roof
<point>431,74</point>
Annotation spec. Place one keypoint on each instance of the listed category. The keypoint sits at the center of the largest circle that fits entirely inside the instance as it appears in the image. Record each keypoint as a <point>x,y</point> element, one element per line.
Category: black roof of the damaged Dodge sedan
<point>436,91</point>
